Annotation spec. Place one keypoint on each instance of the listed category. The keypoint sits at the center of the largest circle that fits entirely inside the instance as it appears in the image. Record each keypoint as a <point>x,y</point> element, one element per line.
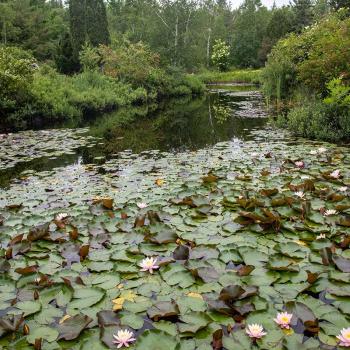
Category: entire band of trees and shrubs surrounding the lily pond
<point>69,59</point>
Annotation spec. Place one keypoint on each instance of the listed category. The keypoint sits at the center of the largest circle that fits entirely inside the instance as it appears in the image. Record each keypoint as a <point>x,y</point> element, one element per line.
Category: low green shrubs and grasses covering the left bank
<point>36,92</point>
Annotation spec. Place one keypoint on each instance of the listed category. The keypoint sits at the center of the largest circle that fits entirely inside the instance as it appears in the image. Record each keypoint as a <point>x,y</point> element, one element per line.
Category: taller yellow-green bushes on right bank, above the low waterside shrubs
<point>310,59</point>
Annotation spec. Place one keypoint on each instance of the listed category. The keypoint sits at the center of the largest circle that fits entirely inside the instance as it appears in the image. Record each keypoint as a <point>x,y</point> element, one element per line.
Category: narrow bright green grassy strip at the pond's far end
<point>251,76</point>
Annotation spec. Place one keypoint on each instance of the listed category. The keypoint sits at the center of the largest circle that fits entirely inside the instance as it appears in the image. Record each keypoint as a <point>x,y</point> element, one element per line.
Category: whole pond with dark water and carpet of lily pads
<point>244,221</point>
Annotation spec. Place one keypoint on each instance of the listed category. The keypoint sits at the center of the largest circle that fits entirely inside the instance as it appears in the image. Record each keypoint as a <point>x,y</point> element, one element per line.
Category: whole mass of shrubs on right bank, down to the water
<point>311,72</point>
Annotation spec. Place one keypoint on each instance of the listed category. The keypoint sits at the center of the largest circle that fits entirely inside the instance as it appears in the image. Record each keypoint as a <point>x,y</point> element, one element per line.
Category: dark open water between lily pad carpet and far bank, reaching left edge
<point>225,112</point>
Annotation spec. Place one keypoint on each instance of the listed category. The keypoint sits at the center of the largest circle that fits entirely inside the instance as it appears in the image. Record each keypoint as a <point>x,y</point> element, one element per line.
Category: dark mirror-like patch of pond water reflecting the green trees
<point>185,123</point>
